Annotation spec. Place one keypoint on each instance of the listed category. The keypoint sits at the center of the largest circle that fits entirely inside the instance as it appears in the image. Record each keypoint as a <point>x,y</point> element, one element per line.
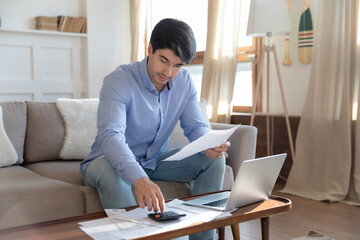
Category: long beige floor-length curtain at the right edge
<point>326,166</point>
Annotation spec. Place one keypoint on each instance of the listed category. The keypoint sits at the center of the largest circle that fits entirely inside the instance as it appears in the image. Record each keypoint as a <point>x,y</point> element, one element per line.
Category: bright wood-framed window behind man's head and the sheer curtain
<point>196,17</point>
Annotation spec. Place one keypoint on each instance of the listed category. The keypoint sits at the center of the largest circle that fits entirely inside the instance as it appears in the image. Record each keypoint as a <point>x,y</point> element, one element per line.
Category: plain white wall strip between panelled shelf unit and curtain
<point>108,39</point>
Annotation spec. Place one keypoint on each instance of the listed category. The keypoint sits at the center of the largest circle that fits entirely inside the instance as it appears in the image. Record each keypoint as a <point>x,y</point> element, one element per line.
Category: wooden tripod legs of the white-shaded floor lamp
<point>267,50</point>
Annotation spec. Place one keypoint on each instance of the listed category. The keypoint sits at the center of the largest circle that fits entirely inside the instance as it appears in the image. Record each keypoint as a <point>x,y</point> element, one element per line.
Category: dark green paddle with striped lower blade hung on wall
<point>306,35</point>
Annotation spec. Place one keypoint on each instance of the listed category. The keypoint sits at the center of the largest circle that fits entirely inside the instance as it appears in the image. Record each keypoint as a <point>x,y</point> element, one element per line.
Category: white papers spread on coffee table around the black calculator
<point>136,223</point>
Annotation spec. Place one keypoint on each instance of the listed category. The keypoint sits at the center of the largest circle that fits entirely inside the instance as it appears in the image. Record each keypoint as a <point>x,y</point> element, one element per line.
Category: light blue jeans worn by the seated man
<point>201,173</point>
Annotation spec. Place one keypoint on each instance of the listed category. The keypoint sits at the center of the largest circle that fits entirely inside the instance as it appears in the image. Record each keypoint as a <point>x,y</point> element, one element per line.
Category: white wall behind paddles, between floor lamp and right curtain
<point>295,77</point>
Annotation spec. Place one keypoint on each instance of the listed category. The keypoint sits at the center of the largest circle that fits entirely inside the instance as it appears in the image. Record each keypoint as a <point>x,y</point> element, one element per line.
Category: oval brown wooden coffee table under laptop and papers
<point>69,228</point>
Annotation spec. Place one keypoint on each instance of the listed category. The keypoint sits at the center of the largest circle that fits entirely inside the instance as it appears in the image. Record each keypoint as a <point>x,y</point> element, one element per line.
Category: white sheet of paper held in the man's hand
<point>211,139</point>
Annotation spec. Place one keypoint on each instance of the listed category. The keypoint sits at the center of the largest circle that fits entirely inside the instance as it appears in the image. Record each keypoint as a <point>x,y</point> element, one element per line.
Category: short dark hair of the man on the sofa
<point>175,35</point>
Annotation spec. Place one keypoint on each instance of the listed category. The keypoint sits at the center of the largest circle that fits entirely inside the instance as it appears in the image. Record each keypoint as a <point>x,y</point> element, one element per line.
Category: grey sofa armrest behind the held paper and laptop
<point>243,144</point>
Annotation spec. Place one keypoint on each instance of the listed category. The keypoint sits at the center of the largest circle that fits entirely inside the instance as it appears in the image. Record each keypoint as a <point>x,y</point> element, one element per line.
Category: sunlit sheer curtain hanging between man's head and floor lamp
<point>220,58</point>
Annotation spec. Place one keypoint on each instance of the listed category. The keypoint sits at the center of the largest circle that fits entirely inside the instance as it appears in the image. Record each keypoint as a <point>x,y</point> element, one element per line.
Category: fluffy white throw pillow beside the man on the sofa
<point>80,126</point>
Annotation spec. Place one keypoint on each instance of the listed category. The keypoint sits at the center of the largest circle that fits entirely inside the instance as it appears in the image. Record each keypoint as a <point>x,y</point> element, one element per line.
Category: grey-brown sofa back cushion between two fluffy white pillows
<point>45,132</point>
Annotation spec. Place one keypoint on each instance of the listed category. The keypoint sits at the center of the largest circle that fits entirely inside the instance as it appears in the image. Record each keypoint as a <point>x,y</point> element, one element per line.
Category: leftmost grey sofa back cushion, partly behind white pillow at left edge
<point>14,117</point>
